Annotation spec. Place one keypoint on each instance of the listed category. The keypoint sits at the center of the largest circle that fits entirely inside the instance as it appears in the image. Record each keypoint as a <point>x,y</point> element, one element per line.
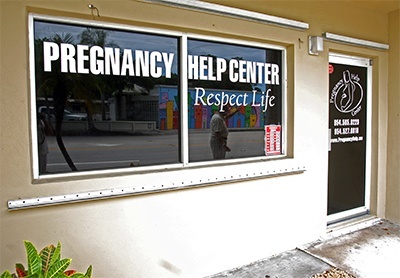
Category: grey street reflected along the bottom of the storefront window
<point>105,152</point>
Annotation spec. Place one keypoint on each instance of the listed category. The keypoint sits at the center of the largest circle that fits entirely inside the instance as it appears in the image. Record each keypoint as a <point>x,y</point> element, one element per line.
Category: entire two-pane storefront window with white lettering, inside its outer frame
<point>111,97</point>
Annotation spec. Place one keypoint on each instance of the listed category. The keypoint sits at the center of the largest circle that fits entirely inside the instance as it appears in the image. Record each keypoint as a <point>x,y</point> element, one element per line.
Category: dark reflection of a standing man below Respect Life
<point>219,134</point>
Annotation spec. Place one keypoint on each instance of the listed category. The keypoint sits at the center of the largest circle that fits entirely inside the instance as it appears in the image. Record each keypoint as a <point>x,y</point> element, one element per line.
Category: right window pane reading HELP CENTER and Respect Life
<point>235,93</point>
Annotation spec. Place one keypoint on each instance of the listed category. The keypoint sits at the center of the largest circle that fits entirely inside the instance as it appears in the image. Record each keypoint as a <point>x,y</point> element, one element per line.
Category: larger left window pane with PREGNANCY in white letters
<point>105,98</point>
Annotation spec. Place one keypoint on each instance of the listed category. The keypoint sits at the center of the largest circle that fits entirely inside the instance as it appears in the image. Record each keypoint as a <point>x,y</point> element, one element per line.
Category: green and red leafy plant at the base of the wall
<point>45,264</point>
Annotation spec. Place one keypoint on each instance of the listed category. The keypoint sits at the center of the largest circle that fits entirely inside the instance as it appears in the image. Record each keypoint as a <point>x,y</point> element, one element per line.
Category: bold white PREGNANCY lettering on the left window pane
<point>97,60</point>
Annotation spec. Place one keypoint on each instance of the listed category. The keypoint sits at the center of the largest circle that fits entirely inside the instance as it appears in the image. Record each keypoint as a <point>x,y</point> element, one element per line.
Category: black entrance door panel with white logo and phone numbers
<point>348,127</point>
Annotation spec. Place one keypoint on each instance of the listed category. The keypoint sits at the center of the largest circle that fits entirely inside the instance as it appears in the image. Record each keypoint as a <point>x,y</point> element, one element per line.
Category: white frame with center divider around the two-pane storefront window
<point>183,132</point>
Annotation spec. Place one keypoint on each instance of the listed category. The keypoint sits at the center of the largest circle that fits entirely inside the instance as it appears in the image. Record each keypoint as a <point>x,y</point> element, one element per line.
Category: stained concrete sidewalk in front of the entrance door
<point>367,250</point>
